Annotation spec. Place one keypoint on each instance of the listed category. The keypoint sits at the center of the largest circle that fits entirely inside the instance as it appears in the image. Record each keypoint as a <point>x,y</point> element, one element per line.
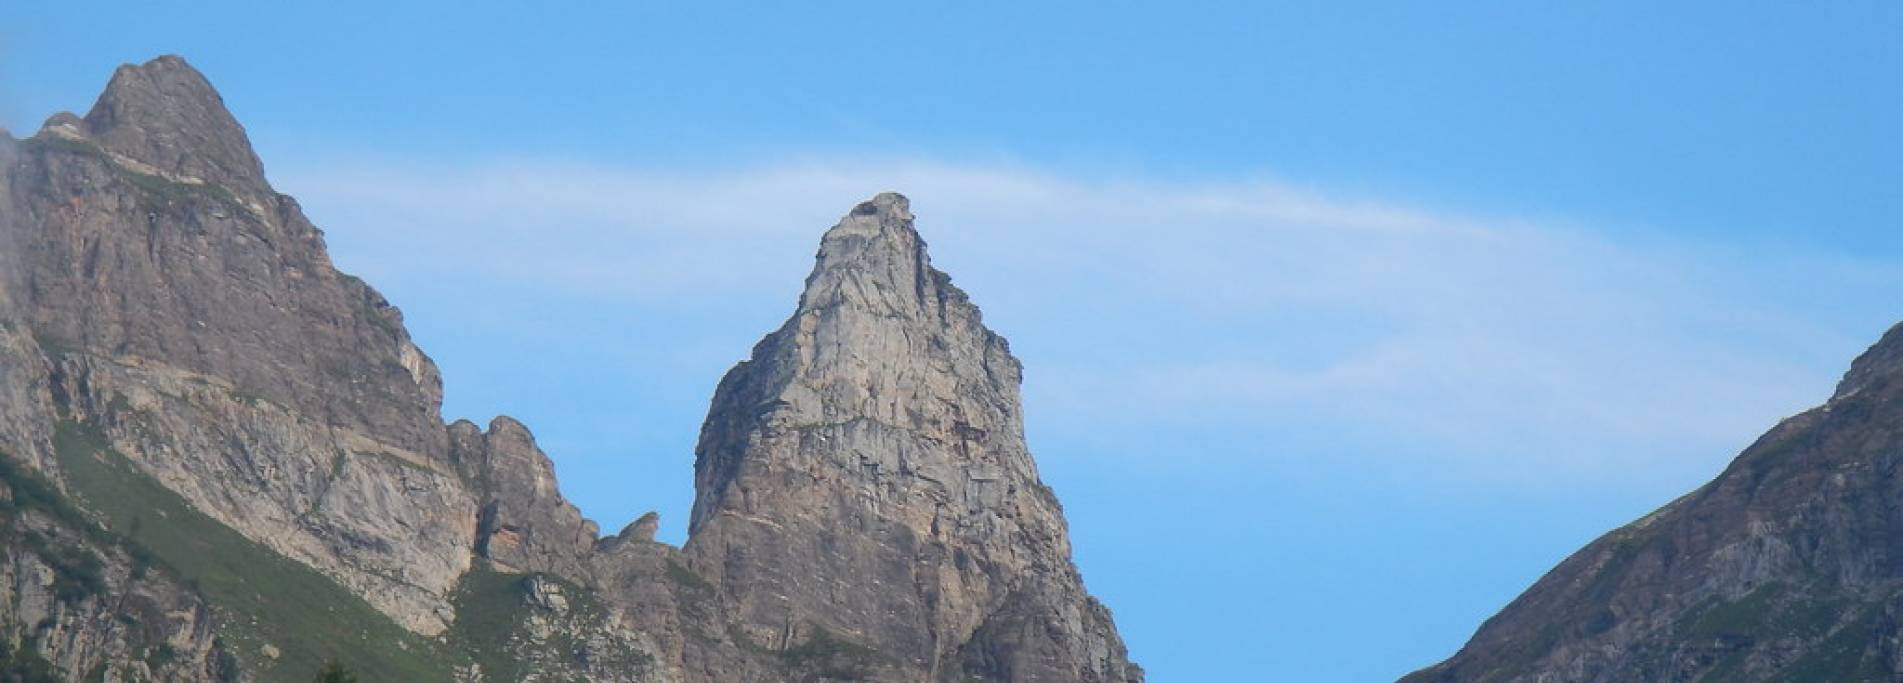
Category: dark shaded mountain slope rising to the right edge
<point>1786,568</point>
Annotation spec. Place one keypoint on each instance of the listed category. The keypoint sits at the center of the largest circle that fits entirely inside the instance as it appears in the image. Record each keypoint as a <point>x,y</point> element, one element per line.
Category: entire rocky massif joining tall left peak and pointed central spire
<point>250,456</point>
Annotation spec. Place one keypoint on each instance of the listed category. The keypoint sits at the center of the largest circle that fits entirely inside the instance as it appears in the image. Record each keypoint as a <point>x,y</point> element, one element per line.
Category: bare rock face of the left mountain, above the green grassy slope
<point>193,317</point>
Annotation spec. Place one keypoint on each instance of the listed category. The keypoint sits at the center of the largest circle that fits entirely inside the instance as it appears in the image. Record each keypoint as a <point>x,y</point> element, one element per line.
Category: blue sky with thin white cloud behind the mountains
<point>1341,322</point>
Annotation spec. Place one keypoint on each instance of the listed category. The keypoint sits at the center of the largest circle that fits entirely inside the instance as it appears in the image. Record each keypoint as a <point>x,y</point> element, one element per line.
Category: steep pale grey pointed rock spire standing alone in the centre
<point>865,478</point>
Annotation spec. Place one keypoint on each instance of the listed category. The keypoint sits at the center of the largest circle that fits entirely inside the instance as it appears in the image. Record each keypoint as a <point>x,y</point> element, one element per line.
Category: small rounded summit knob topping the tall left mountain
<point>165,119</point>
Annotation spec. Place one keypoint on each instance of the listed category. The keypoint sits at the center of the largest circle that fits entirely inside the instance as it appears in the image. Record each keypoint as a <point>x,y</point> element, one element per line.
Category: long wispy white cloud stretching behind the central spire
<point>1521,347</point>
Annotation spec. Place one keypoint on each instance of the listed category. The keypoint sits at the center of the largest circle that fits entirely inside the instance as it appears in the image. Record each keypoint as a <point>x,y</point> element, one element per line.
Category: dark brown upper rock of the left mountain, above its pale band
<point>161,241</point>
